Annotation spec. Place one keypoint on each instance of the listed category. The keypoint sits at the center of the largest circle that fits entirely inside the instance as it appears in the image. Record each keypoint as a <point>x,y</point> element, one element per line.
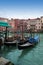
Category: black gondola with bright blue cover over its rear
<point>30,42</point>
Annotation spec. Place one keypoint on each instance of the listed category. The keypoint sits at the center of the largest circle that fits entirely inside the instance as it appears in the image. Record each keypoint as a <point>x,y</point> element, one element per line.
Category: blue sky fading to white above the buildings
<point>22,9</point>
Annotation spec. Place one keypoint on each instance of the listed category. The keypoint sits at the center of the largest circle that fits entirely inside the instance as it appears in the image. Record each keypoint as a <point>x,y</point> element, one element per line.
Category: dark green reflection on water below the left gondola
<point>5,50</point>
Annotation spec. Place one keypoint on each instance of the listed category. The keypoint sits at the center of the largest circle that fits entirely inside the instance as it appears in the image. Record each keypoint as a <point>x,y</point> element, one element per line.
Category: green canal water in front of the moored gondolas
<point>30,56</point>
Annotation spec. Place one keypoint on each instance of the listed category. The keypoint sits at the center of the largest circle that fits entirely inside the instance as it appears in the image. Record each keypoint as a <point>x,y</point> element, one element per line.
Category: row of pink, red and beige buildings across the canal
<point>34,24</point>
